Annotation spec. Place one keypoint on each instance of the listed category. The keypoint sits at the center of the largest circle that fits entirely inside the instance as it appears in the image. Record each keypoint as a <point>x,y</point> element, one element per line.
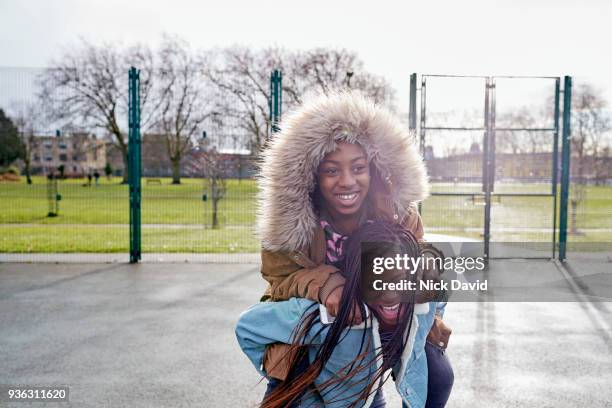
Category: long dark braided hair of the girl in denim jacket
<point>299,383</point>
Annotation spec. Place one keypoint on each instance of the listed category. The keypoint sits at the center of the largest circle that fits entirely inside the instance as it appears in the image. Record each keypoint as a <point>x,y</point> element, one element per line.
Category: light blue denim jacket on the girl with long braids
<point>271,322</point>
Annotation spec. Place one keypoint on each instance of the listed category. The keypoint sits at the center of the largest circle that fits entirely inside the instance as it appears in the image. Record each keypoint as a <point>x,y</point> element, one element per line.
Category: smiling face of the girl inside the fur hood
<point>344,180</point>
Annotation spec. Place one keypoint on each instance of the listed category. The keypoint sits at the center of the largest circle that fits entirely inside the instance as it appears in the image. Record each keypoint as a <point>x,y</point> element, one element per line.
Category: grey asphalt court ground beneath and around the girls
<point>161,334</point>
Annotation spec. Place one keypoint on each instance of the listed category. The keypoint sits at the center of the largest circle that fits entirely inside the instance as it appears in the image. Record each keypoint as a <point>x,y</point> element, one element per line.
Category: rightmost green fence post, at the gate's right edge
<point>565,165</point>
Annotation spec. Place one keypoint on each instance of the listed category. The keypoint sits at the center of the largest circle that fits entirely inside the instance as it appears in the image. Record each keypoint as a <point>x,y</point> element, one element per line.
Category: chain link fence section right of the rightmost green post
<point>589,231</point>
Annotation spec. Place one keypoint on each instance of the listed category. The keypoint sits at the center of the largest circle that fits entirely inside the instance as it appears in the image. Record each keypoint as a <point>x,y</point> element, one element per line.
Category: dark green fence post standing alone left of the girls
<point>134,164</point>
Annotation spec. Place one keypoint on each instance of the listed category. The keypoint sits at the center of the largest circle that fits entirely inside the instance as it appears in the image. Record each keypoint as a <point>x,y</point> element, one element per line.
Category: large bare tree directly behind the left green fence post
<point>88,85</point>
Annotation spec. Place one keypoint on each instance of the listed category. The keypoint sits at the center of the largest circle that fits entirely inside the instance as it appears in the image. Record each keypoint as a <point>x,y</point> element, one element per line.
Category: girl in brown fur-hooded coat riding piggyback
<point>338,161</point>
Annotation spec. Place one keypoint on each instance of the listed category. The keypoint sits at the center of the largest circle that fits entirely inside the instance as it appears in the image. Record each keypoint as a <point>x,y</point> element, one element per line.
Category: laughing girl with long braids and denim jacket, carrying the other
<point>346,364</point>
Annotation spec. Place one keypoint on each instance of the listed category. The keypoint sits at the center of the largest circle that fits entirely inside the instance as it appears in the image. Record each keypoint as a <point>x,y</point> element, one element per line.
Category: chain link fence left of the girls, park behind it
<point>198,189</point>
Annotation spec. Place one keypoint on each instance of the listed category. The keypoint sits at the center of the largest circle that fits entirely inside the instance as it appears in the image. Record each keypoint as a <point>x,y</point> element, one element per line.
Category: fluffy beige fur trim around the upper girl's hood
<point>286,217</point>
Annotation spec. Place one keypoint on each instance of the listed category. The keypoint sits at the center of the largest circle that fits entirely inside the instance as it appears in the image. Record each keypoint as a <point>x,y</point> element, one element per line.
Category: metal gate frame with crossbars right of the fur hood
<point>488,168</point>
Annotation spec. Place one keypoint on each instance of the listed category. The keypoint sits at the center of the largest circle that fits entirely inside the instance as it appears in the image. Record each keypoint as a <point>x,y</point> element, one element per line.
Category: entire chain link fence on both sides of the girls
<point>198,192</point>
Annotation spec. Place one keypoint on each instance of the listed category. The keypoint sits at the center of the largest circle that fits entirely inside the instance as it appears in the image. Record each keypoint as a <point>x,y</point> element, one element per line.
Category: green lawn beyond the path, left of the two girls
<point>108,203</point>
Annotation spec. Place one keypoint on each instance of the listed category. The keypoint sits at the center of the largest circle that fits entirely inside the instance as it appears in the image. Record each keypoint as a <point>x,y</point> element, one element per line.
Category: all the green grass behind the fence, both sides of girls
<point>176,219</point>
